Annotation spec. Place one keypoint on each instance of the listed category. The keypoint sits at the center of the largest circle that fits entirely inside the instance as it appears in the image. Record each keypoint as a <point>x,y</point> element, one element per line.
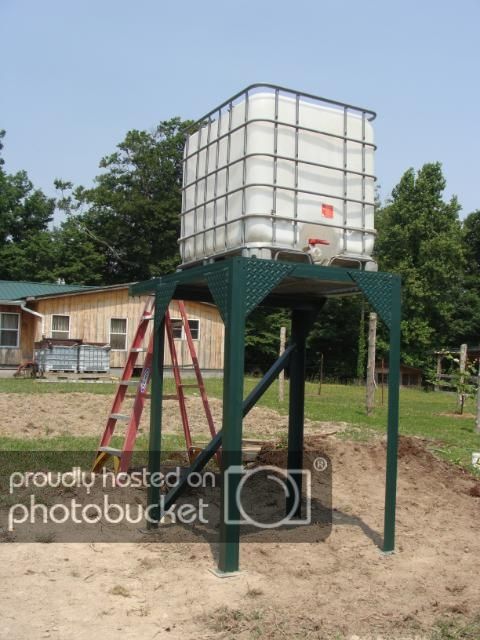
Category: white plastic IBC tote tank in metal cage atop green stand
<point>276,173</point>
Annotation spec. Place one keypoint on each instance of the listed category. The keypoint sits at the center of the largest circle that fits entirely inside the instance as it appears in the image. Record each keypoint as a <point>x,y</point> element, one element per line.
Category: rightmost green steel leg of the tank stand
<point>392,428</point>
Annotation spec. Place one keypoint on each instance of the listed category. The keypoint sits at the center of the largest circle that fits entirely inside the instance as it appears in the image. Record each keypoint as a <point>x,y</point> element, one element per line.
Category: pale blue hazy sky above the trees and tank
<point>76,75</point>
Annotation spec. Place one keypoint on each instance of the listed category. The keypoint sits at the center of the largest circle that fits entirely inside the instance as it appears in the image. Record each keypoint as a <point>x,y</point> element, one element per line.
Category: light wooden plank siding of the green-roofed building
<point>90,315</point>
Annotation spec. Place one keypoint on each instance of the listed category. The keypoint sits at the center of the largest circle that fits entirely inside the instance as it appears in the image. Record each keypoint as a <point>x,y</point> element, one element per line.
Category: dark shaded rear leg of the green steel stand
<point>300,328</point>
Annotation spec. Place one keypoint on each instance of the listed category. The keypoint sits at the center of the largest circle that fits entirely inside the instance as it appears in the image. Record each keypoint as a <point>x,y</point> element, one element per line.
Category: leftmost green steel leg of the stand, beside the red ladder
<point>155,444</point>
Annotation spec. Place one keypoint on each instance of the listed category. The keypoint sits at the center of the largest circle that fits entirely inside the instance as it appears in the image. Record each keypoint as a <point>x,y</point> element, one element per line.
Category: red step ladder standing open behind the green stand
<point>122,457</point>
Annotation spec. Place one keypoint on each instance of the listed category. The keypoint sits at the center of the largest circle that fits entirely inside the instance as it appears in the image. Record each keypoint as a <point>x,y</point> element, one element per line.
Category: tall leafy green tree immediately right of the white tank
<point>420,237</point>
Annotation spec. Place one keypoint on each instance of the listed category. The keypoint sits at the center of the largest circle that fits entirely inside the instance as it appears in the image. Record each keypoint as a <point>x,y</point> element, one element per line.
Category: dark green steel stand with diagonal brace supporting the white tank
<point>237,285</point>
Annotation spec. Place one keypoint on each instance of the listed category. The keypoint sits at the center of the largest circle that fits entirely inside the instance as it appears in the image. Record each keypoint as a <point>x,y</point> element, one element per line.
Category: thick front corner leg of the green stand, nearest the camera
<point>232,416</point>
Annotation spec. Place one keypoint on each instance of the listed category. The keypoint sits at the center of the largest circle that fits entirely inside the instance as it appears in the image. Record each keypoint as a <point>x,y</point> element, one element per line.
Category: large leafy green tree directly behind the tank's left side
<point>132,214</point>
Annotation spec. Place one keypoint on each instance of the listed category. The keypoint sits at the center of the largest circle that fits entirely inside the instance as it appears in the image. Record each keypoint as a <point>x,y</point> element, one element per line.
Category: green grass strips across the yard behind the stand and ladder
<point>424,414</point>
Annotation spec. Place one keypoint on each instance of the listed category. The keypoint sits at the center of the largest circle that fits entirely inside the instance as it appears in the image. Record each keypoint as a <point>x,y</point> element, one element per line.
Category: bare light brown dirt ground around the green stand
<point>340,587</point>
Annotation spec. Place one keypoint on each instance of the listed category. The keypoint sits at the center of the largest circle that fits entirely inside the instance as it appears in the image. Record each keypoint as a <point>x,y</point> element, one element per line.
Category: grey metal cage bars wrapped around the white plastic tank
<point>211,147</point>
